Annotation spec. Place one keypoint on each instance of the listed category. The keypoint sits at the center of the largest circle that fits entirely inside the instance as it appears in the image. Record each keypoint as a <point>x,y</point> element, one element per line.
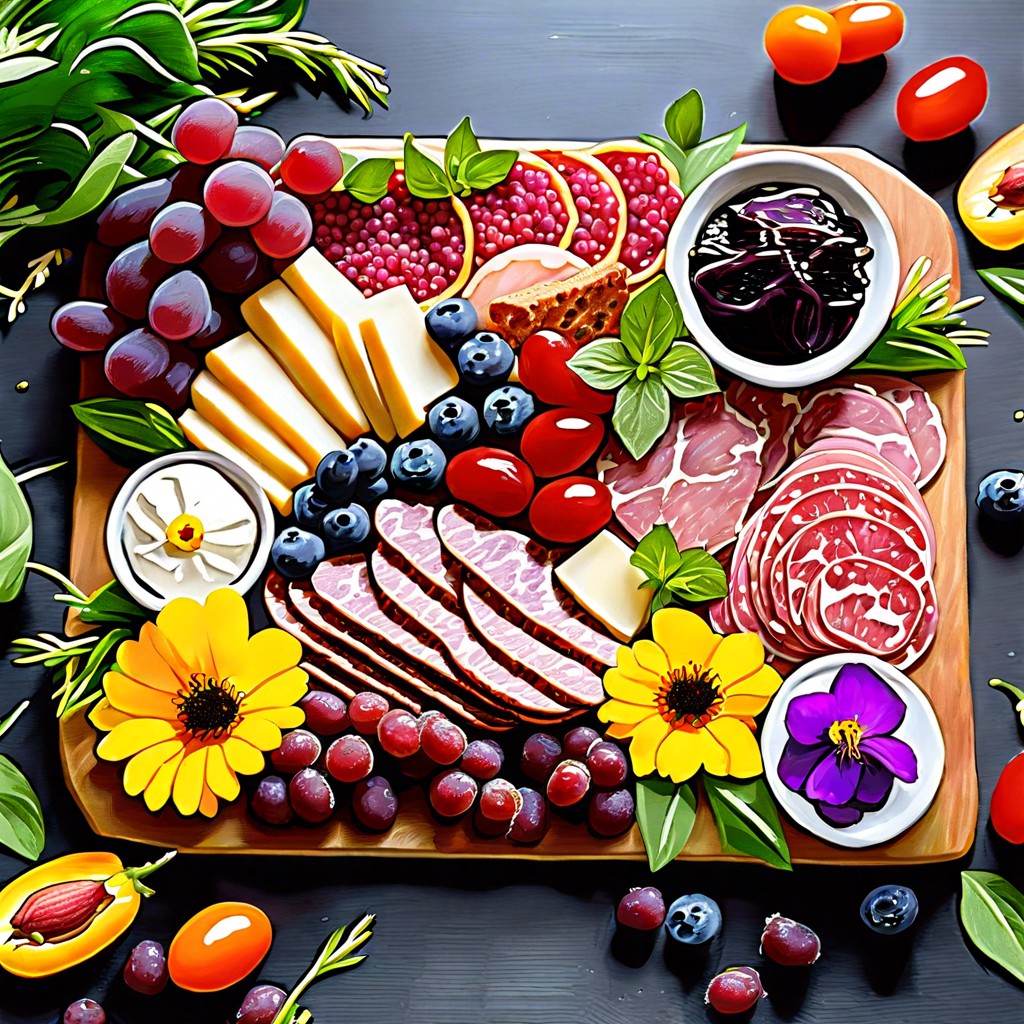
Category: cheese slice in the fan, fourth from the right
<point>255,378</point>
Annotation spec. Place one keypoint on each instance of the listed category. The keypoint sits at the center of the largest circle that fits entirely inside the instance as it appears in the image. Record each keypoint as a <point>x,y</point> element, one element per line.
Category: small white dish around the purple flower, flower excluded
<point>908,802</point>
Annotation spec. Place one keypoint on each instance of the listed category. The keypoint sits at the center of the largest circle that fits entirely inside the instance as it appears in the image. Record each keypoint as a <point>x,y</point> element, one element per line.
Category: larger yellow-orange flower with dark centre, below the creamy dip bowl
<point>198,702</point>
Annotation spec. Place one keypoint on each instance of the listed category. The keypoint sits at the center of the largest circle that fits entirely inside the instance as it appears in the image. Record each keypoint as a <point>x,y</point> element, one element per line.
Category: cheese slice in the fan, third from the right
<point>291,332</point>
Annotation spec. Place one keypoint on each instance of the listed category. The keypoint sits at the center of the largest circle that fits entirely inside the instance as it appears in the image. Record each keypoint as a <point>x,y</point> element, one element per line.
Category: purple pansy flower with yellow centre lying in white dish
<point>841,754</point>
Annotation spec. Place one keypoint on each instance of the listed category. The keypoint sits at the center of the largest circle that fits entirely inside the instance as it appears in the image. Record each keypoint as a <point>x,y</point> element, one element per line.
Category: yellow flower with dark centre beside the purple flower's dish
<point>688,699</point>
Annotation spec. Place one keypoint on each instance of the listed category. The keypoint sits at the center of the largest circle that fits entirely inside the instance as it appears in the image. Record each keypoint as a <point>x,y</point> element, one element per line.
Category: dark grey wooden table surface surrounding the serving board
<point>485,944</point>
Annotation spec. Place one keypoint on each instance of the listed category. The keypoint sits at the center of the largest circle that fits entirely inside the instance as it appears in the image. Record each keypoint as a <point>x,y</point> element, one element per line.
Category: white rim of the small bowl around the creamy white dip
<point>249,489</point>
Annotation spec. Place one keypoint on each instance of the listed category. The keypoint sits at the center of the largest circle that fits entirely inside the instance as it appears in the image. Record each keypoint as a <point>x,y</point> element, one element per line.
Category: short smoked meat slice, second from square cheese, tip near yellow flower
<point>569,680</point>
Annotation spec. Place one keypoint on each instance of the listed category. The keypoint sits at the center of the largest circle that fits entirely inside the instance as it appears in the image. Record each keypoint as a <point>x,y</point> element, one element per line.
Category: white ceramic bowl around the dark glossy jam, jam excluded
<point>796,168</point>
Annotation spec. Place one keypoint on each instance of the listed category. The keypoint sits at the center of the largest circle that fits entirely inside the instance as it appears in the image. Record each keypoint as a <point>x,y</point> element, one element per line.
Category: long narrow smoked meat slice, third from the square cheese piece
<point>451,634</point>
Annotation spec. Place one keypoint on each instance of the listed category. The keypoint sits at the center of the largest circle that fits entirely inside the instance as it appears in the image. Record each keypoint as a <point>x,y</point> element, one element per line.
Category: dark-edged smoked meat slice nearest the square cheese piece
<point>520,573</point>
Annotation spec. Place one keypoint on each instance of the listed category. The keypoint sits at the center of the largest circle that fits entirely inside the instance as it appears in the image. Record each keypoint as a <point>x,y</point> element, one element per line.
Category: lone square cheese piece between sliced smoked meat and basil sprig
<point>601,578</point>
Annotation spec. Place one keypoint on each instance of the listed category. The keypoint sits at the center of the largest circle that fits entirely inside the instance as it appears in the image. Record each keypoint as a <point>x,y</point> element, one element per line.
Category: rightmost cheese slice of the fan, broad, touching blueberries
<point>412,370</point>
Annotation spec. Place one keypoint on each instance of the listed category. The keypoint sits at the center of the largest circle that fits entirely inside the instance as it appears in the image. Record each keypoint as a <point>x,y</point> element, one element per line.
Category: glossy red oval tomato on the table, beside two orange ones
<point>943,100</point>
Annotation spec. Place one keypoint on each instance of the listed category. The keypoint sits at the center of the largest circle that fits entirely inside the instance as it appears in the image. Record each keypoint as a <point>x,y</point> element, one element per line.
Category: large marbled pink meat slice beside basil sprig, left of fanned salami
<point>700,479</point>
